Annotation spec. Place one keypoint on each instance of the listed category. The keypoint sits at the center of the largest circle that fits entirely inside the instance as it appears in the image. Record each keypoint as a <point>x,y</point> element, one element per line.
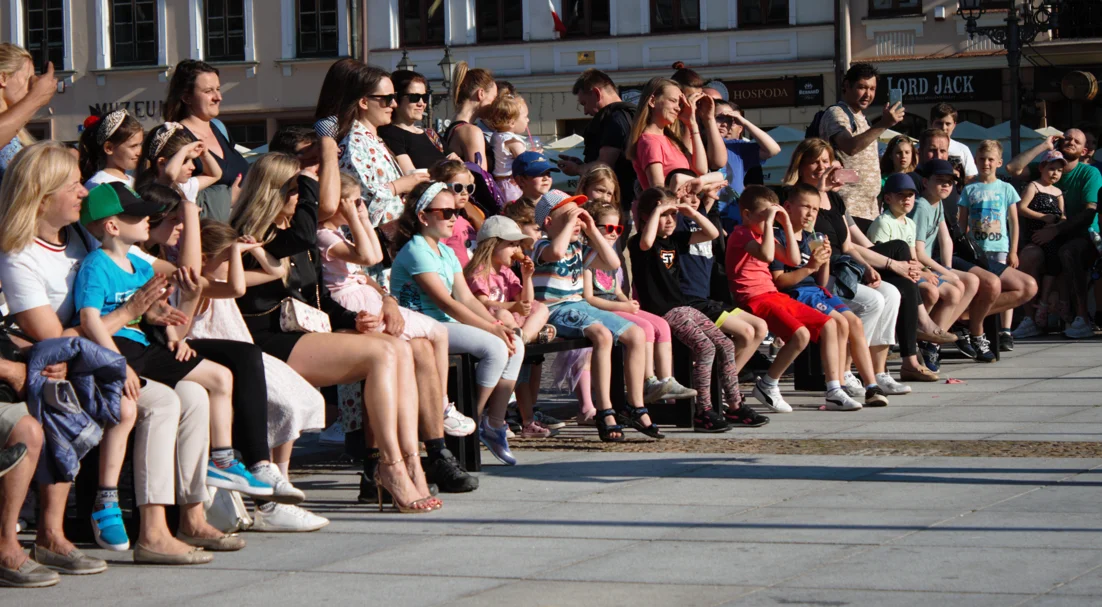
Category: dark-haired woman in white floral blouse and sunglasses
<point>370,103</point>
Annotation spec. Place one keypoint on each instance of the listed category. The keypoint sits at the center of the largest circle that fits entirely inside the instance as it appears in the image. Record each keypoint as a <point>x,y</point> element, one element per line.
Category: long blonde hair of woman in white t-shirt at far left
<point>39,171</point>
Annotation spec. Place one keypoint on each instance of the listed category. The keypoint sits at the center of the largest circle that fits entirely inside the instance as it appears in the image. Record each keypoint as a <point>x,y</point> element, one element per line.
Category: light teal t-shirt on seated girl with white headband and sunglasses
<point>418,258</point>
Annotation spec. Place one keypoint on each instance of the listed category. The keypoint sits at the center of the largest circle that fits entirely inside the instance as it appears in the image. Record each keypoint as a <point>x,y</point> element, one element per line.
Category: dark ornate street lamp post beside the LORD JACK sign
<point>1024,24</point>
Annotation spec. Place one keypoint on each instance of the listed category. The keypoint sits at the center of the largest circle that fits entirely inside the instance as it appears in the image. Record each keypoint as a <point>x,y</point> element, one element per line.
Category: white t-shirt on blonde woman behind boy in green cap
<point>44,275</point>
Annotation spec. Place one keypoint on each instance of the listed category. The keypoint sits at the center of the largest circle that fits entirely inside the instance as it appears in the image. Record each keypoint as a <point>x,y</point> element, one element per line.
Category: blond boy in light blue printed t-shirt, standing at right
<point>988,212</point>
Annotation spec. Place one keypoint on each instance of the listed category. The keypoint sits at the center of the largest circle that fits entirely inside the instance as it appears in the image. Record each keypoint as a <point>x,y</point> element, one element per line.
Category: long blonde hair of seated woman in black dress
<point>264,194</point>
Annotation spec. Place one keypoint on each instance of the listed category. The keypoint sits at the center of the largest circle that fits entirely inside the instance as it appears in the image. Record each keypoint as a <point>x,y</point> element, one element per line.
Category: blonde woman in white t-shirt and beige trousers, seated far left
<point>40,251</point>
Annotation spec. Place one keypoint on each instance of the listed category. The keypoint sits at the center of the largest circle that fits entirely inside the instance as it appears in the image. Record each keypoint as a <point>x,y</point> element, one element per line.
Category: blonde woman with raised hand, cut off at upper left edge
<point>23,95</point>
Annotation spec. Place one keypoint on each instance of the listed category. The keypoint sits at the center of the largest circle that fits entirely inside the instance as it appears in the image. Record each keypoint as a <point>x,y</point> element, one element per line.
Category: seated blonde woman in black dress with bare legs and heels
<point>271,213</point>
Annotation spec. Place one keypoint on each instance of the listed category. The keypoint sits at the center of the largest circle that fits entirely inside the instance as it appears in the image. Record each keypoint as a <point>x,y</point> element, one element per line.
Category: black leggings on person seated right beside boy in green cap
<point>251,394</point>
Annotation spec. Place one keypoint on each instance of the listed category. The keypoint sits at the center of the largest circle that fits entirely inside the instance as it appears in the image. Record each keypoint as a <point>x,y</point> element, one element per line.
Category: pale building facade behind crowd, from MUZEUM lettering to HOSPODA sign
<point>776,57</point>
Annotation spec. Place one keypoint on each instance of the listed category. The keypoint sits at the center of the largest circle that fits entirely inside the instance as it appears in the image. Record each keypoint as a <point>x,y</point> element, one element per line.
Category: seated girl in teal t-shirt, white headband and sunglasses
<point>427,278</point>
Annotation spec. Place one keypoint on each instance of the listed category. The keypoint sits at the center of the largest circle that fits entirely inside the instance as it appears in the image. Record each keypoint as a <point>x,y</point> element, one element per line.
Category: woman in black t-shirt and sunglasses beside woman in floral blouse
<point>414,147</point>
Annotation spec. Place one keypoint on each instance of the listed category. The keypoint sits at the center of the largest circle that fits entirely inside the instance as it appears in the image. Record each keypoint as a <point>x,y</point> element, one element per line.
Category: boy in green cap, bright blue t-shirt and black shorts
<point>109,277</point>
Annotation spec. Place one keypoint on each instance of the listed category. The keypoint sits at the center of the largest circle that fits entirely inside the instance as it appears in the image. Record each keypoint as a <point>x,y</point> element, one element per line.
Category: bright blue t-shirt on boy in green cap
<point>104,286</point>
